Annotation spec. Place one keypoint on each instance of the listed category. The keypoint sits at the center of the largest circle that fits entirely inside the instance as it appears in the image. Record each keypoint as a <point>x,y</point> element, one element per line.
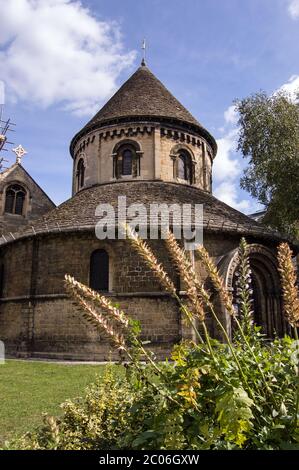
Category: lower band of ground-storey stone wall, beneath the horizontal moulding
<point>55,328</point>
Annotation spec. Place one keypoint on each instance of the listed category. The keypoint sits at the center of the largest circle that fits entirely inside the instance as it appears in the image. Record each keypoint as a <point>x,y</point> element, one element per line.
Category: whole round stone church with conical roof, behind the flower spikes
<point>146,148</point>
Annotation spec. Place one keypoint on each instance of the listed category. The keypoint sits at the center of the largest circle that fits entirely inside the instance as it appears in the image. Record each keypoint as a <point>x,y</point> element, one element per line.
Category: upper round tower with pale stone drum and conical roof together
<point>143,133</point>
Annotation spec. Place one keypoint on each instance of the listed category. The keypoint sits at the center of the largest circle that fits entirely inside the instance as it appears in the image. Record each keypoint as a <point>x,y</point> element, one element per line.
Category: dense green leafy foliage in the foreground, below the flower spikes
<point>211,395</point>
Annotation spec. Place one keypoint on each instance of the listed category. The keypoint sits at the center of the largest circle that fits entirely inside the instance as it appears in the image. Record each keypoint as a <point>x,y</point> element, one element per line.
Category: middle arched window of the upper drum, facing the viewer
<point>126,161</point>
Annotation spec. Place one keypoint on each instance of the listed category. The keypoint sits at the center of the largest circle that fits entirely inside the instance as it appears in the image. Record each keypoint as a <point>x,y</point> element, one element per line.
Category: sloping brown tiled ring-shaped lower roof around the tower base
<point>78,213</point>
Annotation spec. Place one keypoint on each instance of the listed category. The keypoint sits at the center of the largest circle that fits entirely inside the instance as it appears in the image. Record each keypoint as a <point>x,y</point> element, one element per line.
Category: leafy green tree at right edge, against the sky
<point>269,138</point>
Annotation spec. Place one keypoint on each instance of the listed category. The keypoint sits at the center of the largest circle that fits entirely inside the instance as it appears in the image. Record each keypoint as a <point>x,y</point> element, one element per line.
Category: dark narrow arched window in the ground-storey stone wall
<point>99,271</point>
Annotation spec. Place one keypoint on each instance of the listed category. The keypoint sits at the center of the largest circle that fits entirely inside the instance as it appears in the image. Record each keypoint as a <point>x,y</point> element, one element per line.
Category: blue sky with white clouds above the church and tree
<point>61,60</point>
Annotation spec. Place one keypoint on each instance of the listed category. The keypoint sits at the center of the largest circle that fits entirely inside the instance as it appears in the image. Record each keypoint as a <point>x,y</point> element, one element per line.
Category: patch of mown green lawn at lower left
<point>27,389</point>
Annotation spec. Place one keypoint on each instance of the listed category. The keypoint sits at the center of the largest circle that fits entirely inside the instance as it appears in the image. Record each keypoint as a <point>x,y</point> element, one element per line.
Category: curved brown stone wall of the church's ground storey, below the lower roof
<point>38,319</point>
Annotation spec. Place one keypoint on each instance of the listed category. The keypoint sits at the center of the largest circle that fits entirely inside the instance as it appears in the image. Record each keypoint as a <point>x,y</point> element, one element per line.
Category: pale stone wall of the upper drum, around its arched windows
<point>156,144</point>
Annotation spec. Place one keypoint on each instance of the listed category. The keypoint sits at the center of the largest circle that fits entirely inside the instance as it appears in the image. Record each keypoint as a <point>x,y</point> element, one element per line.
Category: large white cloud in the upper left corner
<point>55,51</point>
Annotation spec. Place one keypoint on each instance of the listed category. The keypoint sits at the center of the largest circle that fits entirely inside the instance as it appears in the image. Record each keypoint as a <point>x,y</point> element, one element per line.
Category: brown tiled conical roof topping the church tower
<point>143,96</point>
